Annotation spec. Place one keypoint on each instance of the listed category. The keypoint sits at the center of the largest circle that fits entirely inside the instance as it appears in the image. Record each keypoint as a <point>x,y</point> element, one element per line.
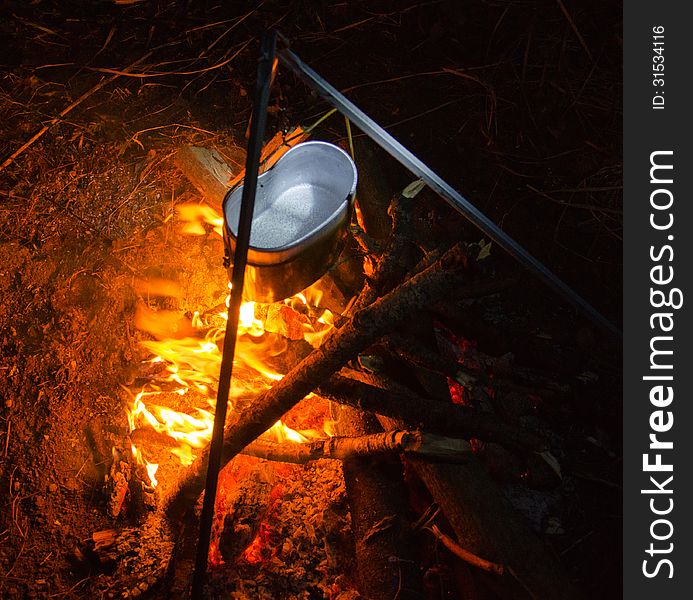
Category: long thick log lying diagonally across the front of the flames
<point>340,346</point>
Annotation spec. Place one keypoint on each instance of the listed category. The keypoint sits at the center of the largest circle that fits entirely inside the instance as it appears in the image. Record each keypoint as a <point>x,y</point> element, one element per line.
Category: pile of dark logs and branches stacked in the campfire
<point>385,427</point>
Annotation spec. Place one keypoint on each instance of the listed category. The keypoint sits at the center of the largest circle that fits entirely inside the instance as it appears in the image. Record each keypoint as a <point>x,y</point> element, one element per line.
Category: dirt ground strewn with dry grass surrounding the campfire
<point>516,103</point>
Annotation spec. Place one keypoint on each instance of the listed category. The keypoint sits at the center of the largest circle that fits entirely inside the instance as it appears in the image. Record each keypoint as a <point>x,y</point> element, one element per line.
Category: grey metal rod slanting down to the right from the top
<point>440,186</point>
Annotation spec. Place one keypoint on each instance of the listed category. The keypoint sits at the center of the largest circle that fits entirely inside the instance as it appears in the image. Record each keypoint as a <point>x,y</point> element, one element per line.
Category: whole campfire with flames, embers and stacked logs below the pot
<point>319,417</point>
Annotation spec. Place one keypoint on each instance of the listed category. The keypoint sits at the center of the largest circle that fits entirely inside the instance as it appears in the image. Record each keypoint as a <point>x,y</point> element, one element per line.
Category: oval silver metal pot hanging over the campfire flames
<point>302,210</point>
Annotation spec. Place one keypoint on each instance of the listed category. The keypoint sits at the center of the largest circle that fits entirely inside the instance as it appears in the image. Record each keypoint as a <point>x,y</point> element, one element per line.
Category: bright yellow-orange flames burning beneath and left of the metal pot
<point>190,349</point>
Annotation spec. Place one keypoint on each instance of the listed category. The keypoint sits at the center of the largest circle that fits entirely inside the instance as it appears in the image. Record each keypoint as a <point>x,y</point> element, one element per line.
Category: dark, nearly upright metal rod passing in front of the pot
<point>252,165</point>
